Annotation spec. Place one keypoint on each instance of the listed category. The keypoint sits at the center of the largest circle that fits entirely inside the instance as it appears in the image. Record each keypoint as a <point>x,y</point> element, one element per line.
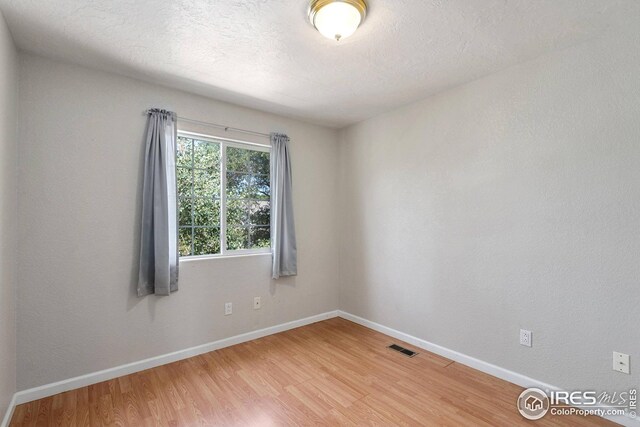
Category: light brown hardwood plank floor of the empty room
<point>329,373</point>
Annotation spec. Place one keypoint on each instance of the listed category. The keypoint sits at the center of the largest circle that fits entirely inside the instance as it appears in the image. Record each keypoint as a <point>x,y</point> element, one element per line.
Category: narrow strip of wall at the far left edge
<point>8,214</point>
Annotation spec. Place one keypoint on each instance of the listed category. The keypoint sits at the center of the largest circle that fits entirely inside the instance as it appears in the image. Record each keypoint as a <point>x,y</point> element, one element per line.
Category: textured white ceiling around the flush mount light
<point>265,54</point>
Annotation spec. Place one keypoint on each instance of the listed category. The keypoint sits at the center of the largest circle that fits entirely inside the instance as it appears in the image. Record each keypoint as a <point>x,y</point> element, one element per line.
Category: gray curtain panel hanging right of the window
<point>283,233</point>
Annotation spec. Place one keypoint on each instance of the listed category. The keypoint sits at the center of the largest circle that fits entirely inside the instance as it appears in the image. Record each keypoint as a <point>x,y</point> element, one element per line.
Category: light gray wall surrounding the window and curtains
<point>81,146</point>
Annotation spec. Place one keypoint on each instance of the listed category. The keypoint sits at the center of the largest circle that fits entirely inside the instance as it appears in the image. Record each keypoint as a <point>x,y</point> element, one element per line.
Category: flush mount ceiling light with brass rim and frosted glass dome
<point>337,19</point>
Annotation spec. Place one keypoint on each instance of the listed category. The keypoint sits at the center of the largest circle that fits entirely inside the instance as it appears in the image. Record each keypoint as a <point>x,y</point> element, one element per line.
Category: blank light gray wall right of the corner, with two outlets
<point>510,202</point>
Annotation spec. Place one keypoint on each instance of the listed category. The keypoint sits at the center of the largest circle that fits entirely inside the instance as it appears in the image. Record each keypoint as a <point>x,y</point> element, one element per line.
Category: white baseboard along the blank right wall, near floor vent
<point>488,368</point>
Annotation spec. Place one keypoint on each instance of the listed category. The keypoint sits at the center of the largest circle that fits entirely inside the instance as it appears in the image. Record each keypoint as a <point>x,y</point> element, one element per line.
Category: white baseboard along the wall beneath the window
<point>118,371</point>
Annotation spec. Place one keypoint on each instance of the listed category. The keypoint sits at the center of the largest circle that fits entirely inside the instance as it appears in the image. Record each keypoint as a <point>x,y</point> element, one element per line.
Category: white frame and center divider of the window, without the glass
<point>224,143</point>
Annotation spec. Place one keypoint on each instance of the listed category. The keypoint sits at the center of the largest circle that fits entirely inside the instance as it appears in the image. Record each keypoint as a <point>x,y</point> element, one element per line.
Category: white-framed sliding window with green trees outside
<point>223,196</point>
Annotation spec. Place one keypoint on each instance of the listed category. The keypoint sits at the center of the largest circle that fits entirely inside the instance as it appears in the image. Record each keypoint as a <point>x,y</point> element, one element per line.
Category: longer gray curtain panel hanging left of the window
<point>159,236</point>
